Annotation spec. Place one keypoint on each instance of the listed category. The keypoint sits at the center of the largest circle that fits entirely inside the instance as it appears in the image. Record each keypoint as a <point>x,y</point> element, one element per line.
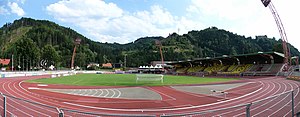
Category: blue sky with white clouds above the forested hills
<point>124,21</point>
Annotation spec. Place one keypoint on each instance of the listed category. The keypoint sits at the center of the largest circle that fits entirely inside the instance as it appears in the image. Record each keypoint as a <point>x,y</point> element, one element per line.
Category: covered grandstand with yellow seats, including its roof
<point>254,64</point>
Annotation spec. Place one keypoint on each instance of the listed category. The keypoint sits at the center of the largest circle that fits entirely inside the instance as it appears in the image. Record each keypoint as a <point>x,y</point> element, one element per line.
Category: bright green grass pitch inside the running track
<point>125,80</point>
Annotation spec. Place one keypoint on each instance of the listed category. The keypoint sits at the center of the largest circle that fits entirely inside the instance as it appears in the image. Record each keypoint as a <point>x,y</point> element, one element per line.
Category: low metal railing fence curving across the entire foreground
<point>283,104</point>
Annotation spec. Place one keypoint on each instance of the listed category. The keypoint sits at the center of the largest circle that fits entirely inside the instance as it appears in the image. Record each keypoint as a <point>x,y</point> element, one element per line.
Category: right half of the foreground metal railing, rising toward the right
<point>281,105</point>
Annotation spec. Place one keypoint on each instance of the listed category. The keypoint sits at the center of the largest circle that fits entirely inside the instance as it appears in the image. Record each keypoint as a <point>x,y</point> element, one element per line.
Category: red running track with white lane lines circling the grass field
<point>173,101</point>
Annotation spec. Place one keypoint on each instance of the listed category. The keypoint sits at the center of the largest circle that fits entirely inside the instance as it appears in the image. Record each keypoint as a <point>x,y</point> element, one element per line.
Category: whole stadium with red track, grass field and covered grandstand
<point>223,86</point>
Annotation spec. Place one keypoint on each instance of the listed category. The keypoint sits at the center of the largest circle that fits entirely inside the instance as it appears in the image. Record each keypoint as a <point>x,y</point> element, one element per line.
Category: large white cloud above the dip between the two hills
<point>106,22</point>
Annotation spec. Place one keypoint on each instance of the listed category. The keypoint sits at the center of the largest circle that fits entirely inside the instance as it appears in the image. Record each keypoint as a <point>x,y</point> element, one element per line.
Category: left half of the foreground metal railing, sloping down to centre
<point>11,106</point>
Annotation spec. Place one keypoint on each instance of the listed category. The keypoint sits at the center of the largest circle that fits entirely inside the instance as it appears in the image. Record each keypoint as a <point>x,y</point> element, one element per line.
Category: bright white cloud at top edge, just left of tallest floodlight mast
<point>224,9</point>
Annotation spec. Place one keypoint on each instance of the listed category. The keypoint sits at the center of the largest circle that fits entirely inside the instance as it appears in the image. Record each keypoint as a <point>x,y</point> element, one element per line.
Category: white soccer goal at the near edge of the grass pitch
<point>149,77</point>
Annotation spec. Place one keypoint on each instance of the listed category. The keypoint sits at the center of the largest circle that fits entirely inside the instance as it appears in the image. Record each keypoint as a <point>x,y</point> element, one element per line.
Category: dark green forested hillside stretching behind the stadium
<point>32,41</point>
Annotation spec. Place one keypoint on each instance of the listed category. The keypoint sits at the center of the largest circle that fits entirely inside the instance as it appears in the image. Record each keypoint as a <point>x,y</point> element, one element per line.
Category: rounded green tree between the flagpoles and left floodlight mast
<point>50,55</point>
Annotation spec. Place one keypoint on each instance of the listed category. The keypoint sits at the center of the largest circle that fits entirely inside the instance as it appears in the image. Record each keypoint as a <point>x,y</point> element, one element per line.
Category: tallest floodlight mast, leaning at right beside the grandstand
<point>286,51</point>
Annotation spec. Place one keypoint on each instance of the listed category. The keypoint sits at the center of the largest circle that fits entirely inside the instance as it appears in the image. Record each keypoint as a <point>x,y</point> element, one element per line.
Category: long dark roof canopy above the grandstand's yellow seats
<point>252,58</point>
